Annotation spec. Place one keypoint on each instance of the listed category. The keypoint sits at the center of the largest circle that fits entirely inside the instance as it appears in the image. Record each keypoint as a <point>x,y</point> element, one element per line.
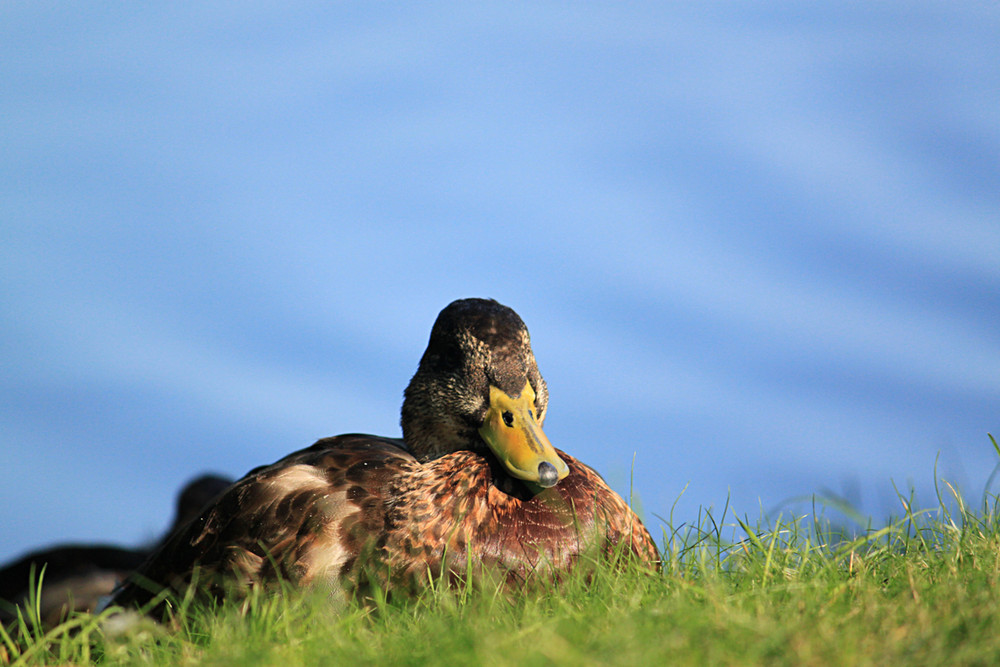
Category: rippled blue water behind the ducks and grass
<point>757,246</point>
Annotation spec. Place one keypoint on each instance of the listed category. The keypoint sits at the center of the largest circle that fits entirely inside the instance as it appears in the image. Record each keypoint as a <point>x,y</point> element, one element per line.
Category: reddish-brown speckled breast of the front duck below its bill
<point>463,504</point>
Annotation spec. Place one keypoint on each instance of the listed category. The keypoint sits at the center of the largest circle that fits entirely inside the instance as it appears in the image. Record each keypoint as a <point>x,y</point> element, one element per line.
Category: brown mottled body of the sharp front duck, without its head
<point>356,508</point>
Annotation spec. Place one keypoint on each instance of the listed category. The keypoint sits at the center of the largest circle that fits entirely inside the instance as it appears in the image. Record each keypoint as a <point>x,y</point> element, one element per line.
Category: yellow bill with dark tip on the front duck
<point>514,435</point>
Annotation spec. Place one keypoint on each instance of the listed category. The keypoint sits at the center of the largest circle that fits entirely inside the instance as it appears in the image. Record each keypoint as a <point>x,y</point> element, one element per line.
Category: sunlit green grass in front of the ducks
<point>924,589</point>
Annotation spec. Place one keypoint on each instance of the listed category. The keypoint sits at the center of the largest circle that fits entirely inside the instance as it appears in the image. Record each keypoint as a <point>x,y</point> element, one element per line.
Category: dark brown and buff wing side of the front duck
<point>297,519</point>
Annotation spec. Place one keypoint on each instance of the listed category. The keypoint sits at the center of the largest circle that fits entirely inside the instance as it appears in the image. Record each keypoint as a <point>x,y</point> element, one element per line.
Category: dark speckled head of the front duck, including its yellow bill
<point>478,388</point>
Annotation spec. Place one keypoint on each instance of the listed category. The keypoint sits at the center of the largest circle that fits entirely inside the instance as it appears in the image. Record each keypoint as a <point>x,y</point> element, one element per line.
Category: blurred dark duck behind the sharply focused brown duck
<point>77,576</point>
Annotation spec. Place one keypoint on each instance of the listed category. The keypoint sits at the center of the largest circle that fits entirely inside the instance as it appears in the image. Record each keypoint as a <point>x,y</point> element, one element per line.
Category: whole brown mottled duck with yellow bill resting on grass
<point>473,480</point>
